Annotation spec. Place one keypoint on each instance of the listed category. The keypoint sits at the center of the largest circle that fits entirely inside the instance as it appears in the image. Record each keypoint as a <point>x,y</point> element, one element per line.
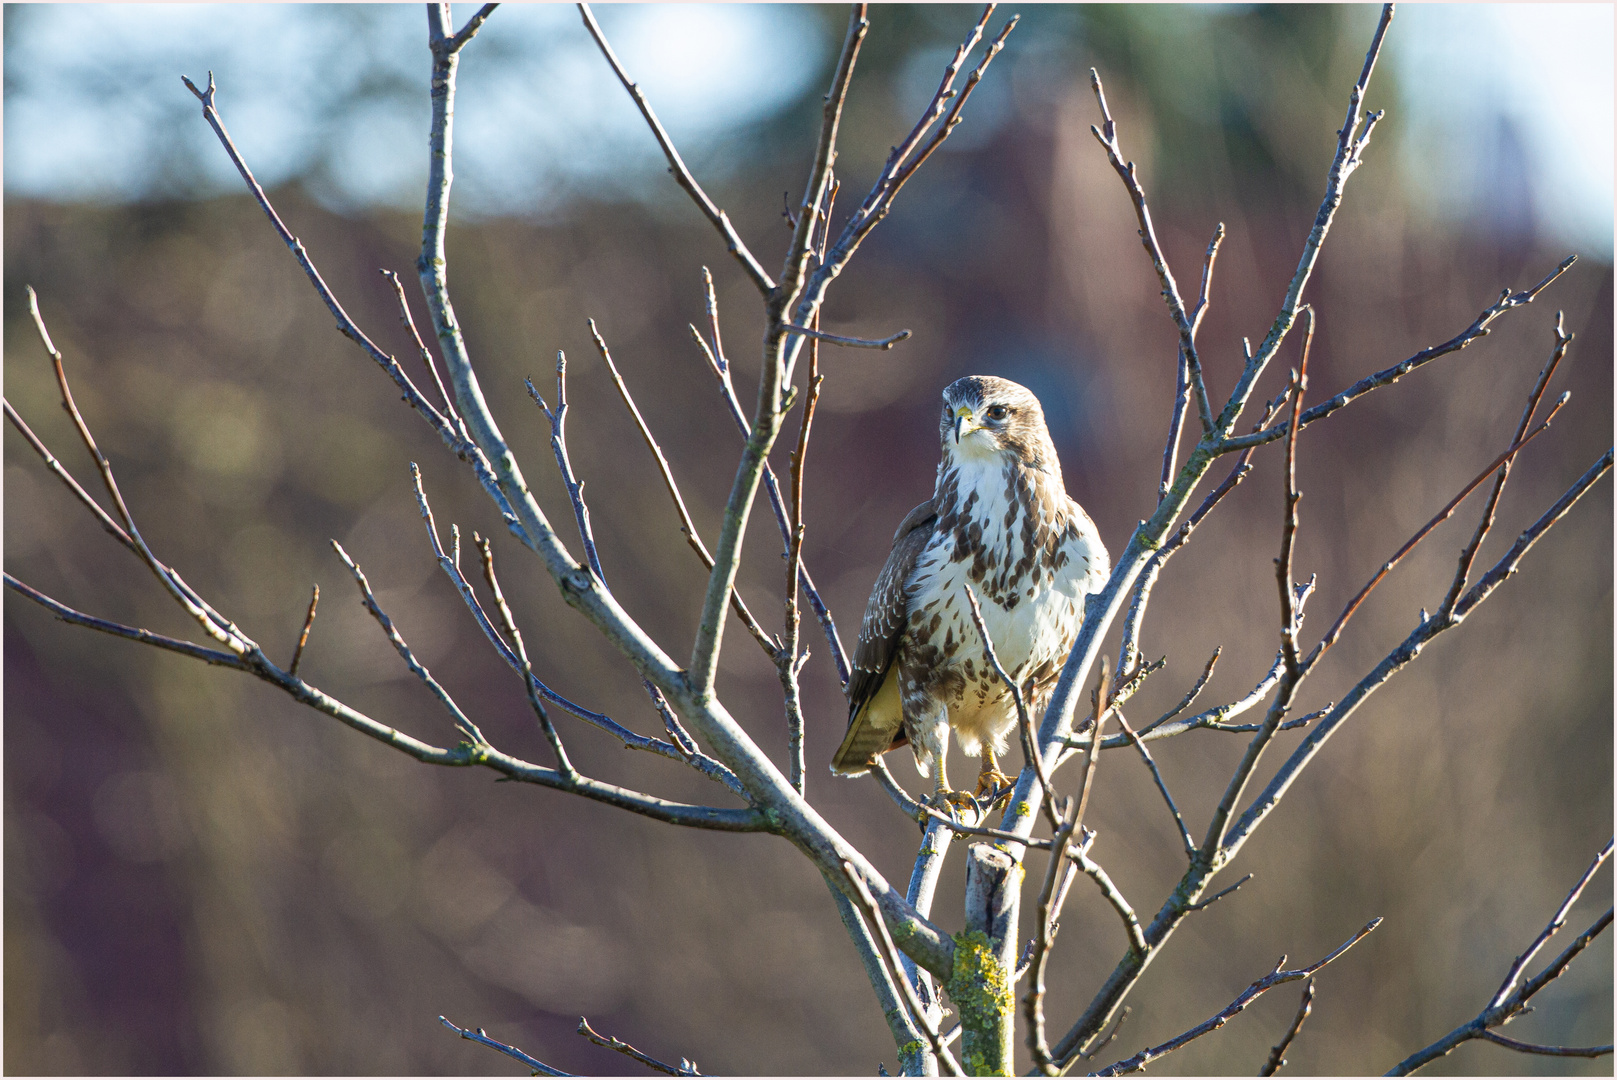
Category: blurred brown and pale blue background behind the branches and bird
<point>201,877</point>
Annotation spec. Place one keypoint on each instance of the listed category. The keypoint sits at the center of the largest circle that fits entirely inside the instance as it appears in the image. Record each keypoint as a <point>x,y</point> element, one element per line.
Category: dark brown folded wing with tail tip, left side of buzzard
<point>876,715</point>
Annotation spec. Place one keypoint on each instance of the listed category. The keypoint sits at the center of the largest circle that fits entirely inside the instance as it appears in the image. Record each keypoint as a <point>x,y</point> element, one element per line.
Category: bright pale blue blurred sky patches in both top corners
<point>95,108</point>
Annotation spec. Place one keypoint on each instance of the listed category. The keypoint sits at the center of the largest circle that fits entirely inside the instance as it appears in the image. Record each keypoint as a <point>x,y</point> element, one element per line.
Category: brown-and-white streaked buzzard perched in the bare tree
<point>1000,521</point>
